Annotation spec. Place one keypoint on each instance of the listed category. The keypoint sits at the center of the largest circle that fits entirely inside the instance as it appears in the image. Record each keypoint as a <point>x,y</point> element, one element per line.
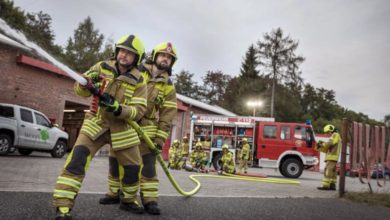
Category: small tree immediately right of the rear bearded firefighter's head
<point>185,85</point>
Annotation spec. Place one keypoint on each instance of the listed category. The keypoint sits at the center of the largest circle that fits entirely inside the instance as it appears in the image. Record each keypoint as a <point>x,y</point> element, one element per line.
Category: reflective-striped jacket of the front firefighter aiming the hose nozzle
<point>130,90</point>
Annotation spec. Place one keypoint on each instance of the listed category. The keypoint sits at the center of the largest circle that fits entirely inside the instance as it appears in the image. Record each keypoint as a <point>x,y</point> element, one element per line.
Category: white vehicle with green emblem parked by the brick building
<point>29,130</point>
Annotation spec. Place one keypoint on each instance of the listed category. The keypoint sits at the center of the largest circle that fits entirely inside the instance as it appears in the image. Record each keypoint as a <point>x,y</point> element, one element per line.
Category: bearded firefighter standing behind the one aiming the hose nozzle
<point>161,110</point>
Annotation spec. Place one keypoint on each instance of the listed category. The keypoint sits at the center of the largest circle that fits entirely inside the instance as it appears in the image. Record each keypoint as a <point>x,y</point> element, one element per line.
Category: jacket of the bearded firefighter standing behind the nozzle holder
<point>161,105</point>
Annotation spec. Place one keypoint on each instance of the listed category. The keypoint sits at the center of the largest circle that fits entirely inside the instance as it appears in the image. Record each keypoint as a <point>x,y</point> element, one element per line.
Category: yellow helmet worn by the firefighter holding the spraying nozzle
<point>133,44</point>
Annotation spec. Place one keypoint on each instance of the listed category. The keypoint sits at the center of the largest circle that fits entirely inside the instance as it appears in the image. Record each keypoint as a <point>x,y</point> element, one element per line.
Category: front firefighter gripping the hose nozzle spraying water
<point>126,91</point>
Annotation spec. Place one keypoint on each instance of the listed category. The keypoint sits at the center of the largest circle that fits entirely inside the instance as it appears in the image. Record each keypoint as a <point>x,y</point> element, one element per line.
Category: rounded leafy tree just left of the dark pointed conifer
<point>215,83</point>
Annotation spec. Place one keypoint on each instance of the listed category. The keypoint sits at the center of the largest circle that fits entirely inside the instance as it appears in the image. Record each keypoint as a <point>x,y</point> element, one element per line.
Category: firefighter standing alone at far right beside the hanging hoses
<point>332,149</point>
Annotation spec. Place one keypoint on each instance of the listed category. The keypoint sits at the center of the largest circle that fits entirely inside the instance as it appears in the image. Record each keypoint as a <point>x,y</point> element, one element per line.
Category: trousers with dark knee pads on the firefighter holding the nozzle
<point>69,182</point>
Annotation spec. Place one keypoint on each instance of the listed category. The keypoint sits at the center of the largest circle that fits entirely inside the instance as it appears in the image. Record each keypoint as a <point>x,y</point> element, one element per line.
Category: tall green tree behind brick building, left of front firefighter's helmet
<point>83,50</point>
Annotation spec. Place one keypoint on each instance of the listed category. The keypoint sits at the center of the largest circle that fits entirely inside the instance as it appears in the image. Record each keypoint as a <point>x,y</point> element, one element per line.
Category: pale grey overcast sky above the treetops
<point>346,43</point>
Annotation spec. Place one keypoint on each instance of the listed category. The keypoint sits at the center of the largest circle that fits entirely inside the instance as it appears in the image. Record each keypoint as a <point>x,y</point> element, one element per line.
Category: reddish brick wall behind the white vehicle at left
<point>32,87</point>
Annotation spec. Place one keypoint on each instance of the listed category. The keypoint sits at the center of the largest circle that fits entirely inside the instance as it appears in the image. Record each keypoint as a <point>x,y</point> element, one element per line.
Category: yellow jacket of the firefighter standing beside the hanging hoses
<point>332,147</point>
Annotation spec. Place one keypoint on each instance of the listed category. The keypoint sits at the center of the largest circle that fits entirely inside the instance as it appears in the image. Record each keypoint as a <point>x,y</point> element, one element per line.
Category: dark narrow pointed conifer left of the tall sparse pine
<point>249,65</point>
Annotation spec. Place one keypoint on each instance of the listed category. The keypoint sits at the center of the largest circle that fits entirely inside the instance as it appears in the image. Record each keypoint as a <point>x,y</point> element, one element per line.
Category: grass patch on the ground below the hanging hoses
<point>382,199</point>
